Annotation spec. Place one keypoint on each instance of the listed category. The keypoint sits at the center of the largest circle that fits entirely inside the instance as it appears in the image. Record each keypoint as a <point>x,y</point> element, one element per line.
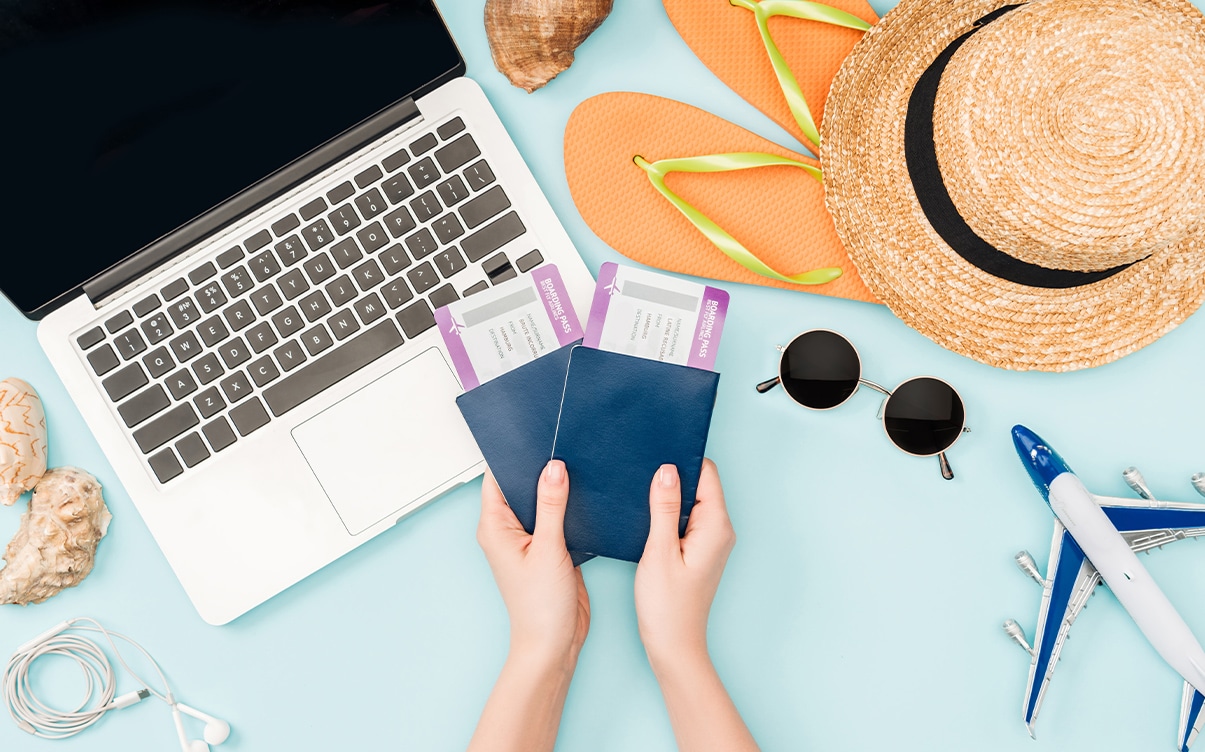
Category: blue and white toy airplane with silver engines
<point>1098,538</point>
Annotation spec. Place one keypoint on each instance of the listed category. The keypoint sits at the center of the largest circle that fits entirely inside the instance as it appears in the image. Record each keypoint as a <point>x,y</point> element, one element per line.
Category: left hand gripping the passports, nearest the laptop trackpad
<point>545,595</point>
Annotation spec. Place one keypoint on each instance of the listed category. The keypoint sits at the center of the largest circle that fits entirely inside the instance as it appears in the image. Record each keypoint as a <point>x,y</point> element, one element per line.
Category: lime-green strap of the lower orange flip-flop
<point>713,232</point>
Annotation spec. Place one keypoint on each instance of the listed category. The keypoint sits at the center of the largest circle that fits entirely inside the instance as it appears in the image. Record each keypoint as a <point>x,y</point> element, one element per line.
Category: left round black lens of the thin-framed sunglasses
<point>820,369</point>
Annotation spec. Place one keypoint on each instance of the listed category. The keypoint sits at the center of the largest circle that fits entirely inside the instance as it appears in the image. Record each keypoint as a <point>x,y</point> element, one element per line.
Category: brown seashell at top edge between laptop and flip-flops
<point>534,40</point>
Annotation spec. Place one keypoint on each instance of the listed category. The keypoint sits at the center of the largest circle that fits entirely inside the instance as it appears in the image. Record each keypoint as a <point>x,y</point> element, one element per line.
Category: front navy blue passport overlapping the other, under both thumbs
<point>621,420</point>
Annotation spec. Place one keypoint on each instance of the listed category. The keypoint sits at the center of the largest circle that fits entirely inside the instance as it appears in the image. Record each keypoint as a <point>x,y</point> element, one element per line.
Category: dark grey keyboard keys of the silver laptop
<point>305,302</point>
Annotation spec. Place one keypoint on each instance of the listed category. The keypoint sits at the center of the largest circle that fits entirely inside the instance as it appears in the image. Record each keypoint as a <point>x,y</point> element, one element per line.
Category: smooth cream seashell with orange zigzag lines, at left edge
<point>22,439</point>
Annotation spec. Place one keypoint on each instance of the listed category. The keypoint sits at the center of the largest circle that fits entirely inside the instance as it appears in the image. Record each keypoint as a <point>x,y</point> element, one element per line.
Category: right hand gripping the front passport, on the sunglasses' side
<point>677,579</point>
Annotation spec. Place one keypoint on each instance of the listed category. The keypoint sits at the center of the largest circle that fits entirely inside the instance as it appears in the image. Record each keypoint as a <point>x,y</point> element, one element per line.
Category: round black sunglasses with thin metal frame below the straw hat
<point>924,416</point>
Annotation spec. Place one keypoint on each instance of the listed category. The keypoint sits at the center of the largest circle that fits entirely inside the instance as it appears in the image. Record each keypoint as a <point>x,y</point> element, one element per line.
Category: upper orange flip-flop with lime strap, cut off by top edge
<point>774,51</point>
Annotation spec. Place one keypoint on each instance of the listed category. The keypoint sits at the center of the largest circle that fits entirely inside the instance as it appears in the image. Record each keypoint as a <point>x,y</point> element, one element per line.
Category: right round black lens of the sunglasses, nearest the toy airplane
<point>924,416</point>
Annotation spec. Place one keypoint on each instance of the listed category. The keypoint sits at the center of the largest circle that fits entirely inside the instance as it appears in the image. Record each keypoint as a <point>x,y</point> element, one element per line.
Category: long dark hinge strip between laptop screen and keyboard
<point>113,281</point>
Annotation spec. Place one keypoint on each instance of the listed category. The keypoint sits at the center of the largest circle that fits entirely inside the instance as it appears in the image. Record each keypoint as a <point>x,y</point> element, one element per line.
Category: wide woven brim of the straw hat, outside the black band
<point>921,279</point>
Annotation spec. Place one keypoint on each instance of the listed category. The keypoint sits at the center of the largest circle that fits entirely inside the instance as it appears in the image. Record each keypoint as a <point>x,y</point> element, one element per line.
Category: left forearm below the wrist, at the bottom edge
<point>524,712</point>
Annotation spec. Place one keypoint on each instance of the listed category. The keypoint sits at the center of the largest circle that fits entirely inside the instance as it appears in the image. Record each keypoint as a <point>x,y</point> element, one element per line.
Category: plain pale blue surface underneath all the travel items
<point>861,609</point>
